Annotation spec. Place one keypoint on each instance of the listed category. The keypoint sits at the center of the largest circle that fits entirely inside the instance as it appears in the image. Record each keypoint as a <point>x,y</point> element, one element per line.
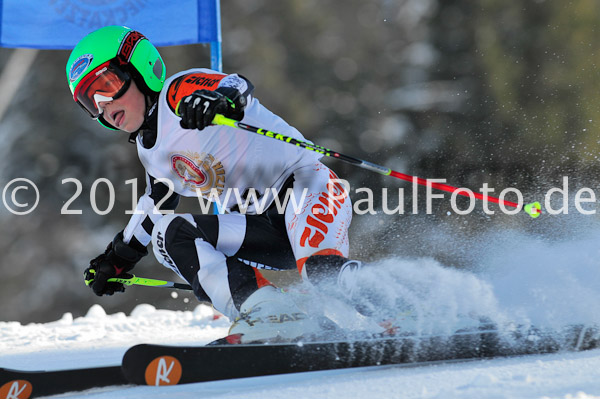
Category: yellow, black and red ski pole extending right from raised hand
<point>533,209</point>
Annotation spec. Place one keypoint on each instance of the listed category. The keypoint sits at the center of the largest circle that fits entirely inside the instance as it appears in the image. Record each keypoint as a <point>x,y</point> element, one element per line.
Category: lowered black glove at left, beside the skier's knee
<point>118,259</point>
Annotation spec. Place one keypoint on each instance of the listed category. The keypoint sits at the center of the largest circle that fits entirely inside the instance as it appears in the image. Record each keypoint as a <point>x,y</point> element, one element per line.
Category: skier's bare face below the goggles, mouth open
<point>126,112</point>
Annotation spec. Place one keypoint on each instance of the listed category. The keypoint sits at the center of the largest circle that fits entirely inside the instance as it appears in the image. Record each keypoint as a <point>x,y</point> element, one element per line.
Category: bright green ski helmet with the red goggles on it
<point>103,63</point>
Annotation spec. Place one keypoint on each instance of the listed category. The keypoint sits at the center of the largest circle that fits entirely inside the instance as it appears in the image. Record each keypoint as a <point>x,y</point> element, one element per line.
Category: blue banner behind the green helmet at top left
<point>60,24</point>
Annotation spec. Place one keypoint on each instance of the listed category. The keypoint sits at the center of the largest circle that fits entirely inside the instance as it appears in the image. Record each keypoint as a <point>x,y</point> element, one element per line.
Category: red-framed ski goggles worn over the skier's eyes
<point>105,83</point>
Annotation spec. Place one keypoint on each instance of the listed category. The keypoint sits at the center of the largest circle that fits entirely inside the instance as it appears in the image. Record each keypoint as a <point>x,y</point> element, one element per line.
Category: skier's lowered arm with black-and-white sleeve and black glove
<point>129,246</point>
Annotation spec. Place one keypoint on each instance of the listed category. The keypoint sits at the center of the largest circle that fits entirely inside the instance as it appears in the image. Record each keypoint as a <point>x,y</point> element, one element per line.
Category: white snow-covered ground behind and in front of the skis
<point>100,339</point>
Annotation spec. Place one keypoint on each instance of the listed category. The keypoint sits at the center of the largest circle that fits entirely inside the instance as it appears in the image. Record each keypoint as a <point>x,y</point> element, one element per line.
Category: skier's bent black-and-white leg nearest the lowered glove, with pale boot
<point>204,251</point>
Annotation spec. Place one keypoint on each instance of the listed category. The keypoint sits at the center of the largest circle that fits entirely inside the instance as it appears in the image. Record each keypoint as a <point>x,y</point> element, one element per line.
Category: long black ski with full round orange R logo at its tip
<point>147,364</point>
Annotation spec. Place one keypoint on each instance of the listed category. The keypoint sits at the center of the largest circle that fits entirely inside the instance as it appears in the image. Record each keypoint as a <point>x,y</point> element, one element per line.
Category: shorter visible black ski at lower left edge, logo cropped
<point>24,384</point>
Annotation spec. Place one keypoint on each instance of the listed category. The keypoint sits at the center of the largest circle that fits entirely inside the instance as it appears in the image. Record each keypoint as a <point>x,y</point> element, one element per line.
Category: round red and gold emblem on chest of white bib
<point>199,171</point>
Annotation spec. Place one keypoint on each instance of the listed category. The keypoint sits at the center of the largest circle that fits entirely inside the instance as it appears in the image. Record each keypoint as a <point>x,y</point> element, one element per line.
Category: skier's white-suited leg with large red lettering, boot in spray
<point>318,232</point>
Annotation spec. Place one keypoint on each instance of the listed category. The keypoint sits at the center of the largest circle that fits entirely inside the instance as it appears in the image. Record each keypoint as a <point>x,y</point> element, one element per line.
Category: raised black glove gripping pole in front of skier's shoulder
<point>198,110</point>
